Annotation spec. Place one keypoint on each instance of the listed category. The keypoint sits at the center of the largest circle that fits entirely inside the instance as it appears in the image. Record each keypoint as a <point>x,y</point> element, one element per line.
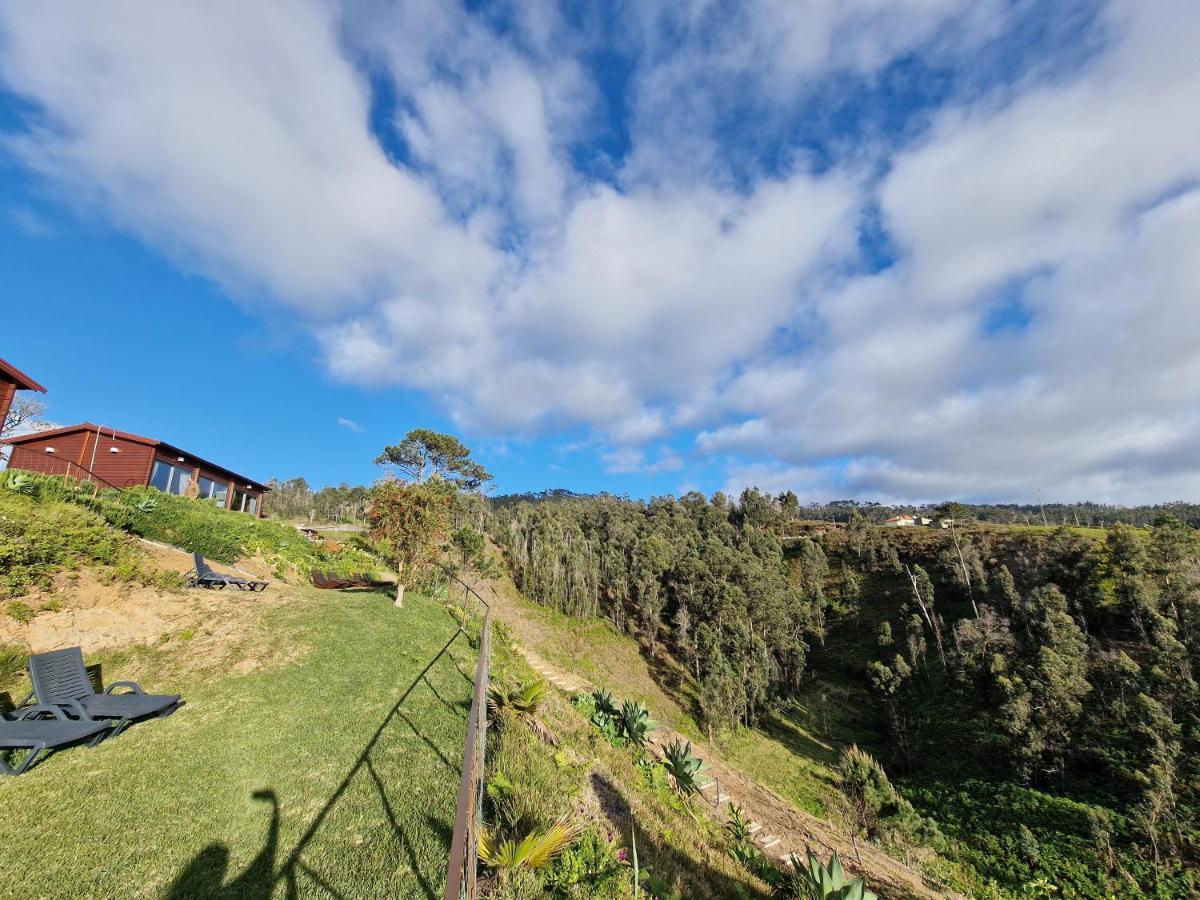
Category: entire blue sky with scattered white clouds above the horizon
<point>878,249</point>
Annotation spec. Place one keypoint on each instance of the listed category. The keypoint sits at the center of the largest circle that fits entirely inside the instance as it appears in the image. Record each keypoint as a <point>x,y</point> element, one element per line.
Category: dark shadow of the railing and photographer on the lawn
<point>205,877</point>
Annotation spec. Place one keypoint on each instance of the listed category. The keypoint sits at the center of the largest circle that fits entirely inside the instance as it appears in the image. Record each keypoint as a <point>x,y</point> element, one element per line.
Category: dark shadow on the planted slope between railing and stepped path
<point>661,860</point>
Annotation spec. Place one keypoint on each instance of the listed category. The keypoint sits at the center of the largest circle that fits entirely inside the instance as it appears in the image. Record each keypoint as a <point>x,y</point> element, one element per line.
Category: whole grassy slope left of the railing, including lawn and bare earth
<point>317,749</point>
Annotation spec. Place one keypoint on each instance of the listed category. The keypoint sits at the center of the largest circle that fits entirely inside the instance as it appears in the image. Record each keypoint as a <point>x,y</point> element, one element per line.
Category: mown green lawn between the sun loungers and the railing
<point>304,773</point>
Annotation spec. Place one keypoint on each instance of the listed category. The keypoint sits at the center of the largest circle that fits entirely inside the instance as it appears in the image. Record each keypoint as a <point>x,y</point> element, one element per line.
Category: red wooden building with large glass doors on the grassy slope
<point>117,459</point>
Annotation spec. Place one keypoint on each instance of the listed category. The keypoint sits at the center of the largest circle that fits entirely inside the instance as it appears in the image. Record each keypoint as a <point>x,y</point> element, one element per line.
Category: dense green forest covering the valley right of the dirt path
<point>1031,691</point>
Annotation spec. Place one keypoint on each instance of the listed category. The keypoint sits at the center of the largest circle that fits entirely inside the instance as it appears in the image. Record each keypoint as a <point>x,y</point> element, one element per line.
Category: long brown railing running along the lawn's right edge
<point>469,820</point>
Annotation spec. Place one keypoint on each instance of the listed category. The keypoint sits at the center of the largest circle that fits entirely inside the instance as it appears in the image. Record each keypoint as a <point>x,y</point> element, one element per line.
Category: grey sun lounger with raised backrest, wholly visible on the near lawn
<point>62,681</point>
